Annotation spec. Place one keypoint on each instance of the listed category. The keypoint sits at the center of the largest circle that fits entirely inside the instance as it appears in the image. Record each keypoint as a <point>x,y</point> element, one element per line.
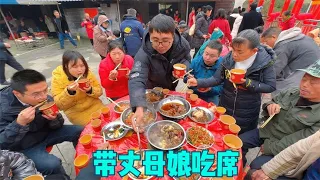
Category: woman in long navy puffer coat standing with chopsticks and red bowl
<point>243,100</point>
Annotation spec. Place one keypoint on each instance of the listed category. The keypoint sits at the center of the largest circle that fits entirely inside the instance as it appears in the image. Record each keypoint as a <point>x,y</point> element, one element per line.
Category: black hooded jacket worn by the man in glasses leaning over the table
<point>152,69</point>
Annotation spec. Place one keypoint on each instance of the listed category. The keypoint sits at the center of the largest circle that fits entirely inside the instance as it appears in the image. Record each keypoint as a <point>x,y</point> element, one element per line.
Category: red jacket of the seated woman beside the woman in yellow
<point>118,88</point>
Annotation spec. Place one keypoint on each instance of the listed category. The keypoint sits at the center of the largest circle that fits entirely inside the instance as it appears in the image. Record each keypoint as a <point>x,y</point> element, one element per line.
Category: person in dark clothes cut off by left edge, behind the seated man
<point>7,58</point>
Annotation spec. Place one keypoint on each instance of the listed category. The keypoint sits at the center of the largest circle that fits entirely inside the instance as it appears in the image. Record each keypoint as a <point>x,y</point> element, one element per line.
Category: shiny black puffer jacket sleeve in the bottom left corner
<point>20,166</point>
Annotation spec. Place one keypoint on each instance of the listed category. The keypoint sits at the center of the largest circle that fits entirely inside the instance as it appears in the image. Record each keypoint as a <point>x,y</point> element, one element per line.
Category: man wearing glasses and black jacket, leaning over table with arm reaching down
<point>161,49</point>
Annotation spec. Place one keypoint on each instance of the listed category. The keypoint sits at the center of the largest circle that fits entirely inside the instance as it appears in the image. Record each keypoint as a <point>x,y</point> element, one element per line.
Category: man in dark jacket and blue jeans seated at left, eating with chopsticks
<point>23,128</point>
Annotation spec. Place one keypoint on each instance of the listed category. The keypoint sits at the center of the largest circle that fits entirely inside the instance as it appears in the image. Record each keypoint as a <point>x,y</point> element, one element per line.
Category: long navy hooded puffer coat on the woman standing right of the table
<point>244,103</point>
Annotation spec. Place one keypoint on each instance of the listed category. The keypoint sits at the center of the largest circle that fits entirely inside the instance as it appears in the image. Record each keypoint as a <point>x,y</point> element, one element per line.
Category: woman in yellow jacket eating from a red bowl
<point>78,104</point>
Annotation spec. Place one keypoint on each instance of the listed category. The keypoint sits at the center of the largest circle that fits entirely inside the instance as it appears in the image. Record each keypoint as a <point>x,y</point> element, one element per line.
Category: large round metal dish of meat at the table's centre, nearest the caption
<point>166,135</point>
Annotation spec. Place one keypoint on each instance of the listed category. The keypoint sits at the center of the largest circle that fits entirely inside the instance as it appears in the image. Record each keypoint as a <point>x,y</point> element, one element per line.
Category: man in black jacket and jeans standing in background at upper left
<point>62,29</point>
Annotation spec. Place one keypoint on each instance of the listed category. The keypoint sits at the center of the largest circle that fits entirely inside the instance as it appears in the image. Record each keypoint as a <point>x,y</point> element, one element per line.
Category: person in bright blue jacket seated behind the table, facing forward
<point>205,66</point>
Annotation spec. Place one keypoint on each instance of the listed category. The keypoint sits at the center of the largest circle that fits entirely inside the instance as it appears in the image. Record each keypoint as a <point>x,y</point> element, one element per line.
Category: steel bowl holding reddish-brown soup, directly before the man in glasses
<point>174,99</point>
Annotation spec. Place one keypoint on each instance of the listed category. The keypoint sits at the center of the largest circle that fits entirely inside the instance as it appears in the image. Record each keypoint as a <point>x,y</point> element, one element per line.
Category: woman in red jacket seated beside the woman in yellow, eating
<point>114,71</point>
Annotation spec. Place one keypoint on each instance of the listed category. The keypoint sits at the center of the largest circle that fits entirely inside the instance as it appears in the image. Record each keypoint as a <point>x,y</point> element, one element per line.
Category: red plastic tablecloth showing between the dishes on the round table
<point>130,141</point>
